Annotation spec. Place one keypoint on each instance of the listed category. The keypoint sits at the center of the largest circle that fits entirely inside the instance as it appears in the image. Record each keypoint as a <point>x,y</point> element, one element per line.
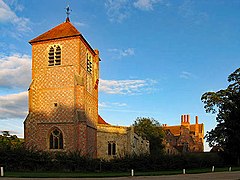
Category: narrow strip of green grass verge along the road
<point>108,174</point>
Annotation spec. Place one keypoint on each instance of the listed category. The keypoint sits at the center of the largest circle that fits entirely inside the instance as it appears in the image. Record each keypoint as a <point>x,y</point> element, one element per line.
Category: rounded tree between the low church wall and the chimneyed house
<point>150,129</point>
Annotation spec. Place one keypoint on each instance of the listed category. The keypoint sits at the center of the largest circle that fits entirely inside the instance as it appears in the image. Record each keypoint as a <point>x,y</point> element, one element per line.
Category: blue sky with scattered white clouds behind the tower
<point>157,56</point>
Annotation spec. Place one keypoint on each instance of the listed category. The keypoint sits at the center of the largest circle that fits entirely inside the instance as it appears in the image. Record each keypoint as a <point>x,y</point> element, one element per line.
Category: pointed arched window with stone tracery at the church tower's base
<point>56,139</point>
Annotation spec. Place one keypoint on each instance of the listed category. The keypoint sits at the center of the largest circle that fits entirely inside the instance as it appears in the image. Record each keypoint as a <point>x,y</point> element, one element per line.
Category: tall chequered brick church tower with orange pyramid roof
<point>63,94</point>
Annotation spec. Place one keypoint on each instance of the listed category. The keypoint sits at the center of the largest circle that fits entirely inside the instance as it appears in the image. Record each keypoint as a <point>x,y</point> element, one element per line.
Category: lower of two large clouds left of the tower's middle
<point>14,105</point>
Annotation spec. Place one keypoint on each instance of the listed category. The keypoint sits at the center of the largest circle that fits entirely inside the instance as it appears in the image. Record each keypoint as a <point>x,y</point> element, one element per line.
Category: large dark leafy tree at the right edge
<point>226,103</point>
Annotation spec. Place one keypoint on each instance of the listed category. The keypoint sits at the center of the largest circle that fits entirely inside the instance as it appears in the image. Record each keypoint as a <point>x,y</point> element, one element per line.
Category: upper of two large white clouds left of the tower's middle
<point>15,71</point>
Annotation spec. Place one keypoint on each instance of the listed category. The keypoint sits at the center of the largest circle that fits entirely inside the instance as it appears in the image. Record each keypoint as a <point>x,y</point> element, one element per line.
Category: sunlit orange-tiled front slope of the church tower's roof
<point>63,30</point>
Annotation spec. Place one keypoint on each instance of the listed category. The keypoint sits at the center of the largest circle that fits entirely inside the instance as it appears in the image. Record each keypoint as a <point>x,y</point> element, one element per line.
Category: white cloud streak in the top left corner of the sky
<point>7,15</point>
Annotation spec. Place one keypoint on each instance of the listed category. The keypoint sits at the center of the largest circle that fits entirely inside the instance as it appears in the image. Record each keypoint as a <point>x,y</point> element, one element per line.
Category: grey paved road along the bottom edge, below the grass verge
<point>216,175</point>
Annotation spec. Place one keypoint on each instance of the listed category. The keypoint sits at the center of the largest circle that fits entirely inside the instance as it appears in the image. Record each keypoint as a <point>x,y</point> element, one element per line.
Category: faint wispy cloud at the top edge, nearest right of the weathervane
<point>117,10</point>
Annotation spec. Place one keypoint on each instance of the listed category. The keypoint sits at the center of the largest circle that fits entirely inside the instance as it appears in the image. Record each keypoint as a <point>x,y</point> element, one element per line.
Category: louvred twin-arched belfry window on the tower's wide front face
<point>54,55</point>
